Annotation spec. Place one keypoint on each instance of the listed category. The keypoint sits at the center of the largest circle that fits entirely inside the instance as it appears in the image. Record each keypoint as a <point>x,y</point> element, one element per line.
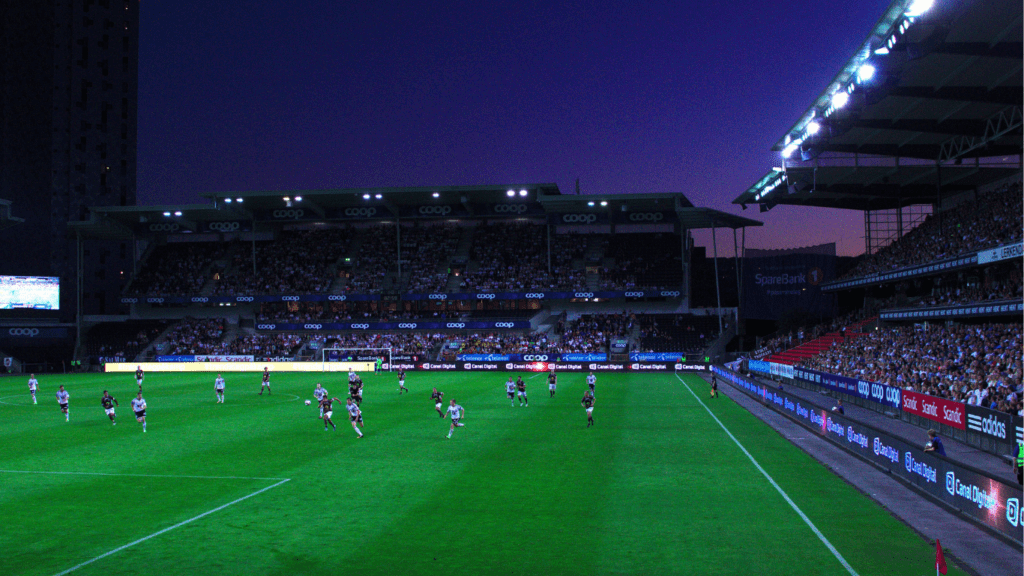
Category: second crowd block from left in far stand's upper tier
<point>296,263</point>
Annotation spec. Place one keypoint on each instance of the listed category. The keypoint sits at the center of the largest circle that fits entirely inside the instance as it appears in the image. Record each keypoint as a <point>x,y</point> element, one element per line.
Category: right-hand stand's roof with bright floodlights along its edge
<point>927,89</point>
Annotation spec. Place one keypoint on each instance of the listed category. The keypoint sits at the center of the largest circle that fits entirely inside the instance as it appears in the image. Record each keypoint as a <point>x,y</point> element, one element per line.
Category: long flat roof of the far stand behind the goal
<point>240,212</point>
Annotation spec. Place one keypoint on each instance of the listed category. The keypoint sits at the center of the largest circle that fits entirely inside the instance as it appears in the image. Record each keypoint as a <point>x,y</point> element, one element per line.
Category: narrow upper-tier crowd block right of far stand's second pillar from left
<point>426,252</point>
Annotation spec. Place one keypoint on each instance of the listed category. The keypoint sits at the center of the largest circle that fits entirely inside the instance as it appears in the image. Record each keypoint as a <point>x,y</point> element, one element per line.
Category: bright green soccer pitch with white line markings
<point>255,486</point>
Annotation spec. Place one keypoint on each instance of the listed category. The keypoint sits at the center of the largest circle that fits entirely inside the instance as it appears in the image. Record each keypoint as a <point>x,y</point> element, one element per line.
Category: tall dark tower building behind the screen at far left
<point>68,138</point>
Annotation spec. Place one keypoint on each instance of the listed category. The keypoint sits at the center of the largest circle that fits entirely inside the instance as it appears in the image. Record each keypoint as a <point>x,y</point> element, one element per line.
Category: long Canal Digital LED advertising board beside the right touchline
<point>987,501</point>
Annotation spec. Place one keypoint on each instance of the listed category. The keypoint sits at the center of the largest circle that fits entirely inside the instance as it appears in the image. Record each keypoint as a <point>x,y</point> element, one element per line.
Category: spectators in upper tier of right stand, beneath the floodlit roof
<point>993,220</point>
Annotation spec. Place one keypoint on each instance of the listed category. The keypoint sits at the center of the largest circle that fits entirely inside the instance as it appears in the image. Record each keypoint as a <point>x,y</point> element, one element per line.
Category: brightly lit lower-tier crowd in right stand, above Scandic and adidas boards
<point>975,364</point>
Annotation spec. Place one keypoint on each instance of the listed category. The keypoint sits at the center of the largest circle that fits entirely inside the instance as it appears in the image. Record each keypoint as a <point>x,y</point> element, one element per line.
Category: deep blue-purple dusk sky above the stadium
<point>672,97</point>
